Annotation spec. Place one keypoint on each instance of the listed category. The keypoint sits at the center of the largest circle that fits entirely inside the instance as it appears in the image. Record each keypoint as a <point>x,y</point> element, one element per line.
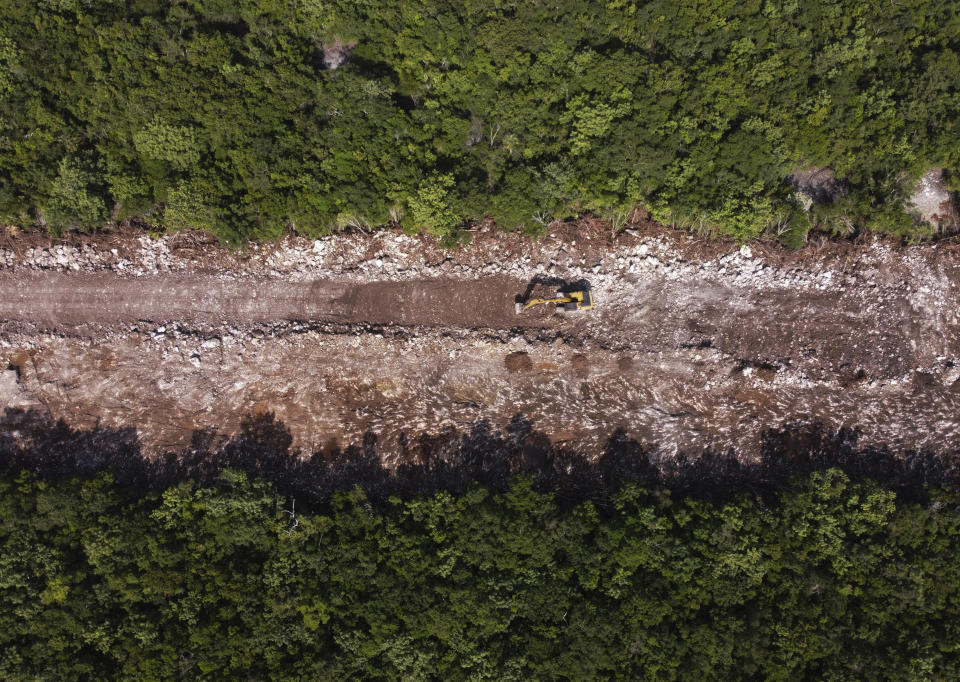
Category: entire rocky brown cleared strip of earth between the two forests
<point>692,344</point>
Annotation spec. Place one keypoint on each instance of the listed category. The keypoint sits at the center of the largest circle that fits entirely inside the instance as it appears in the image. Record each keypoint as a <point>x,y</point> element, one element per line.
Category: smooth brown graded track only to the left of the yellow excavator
<point>57,300</point>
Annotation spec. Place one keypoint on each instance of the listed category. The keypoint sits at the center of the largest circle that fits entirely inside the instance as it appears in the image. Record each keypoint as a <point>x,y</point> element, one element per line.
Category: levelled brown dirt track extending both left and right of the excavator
<point>805,331</point>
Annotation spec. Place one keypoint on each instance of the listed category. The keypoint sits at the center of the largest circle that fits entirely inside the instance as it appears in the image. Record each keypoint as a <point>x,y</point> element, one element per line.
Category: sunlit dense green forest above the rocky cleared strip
<point>251,118</point>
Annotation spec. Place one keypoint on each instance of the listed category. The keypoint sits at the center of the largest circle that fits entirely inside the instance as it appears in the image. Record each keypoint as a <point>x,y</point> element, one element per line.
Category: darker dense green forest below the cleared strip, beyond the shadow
<point>831,579</point>
